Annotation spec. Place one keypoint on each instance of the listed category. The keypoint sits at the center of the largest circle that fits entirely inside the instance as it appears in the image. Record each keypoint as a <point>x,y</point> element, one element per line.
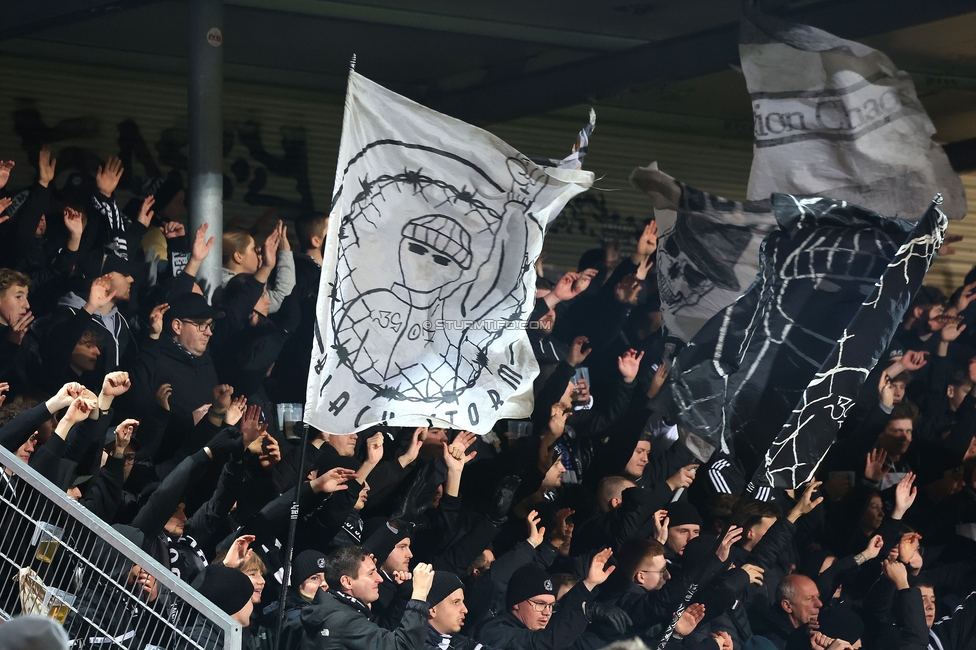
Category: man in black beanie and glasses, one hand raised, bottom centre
<point>530,622</point>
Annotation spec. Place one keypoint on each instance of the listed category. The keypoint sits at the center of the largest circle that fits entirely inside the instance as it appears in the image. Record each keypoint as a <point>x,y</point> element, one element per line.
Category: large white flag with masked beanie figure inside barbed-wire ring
<point>428,276</point>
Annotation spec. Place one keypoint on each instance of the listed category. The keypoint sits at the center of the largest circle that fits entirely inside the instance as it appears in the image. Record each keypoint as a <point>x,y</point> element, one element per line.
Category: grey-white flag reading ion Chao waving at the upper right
<point>836,118</point>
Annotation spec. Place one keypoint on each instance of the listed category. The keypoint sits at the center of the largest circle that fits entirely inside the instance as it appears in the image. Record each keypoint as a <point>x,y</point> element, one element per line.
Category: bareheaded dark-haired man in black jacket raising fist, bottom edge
<point>341,618</point>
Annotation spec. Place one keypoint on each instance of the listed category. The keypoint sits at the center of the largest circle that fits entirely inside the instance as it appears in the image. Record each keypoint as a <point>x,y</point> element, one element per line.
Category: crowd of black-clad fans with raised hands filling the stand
<point>587,524</point>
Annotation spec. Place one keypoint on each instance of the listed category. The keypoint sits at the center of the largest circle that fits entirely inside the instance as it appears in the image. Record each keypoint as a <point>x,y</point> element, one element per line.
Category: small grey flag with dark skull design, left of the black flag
<point>708,248</point>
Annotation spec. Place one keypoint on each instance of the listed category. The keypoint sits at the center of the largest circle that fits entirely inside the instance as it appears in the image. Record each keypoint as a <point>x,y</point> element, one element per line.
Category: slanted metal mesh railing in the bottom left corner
<point>59,559</point>
